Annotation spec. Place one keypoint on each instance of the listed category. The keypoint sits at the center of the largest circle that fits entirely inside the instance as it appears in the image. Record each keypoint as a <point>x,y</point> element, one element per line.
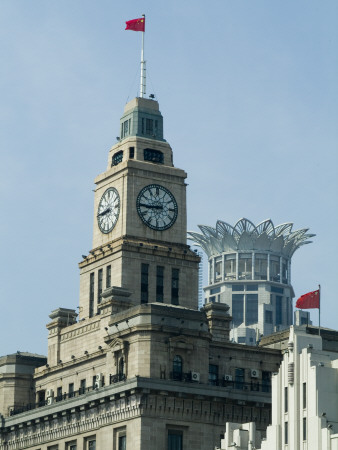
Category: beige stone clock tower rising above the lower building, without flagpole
<point>139,238</point>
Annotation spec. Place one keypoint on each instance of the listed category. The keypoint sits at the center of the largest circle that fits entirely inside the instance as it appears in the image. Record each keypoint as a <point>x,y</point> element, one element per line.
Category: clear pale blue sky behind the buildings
<point>249,94</point>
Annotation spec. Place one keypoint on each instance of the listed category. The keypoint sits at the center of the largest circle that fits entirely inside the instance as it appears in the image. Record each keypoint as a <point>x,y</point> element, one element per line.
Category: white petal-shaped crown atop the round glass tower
<point>245,236</point>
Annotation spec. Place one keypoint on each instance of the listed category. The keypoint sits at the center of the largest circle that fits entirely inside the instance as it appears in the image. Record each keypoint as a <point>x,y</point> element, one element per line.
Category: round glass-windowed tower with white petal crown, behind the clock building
<point>250,270</point>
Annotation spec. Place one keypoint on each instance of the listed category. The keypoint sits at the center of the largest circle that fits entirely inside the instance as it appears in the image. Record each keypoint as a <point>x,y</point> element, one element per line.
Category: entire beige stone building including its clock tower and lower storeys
<point>141,367</point>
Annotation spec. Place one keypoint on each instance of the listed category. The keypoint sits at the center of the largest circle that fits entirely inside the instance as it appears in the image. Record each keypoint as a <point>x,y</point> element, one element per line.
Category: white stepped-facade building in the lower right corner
<point>304,393</point>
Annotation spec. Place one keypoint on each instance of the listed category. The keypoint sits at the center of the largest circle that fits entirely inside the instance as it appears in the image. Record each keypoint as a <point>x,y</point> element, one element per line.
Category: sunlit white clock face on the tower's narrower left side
<point>108,210</point>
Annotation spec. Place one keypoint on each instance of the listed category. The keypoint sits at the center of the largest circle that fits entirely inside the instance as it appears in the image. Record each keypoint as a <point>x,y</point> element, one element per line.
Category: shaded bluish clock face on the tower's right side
<point>157,207</point>
